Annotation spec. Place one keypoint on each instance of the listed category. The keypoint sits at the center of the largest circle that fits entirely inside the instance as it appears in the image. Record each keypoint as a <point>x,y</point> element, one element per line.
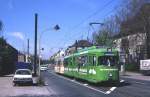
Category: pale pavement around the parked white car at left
<point>8,90</point>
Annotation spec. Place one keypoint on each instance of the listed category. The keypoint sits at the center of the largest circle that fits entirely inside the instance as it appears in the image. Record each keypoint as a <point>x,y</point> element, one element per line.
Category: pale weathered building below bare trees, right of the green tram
<point>134,46</point>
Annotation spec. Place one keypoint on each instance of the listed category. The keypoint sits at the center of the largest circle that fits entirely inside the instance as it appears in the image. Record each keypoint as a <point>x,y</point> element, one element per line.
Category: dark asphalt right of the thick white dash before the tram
<point>133,88</point>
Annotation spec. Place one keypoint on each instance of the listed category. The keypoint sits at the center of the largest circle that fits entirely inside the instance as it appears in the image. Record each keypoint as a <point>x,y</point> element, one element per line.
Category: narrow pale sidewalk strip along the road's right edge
<point>134,75</point>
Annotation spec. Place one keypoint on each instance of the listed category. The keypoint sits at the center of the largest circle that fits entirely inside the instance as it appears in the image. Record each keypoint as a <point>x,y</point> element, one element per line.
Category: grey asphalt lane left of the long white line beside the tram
<point>61,87</point>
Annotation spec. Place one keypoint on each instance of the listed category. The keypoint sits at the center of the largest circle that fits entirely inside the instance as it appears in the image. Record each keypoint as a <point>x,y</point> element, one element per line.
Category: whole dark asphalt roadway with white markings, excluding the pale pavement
<point>60,86</point>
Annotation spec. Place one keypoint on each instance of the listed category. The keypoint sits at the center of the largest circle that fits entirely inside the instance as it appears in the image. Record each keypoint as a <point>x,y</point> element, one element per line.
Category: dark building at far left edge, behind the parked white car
<point>8,57</point>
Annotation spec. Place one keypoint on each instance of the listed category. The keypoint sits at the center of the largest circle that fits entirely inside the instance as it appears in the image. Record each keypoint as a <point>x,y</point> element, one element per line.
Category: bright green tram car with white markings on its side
<point>93,64</point>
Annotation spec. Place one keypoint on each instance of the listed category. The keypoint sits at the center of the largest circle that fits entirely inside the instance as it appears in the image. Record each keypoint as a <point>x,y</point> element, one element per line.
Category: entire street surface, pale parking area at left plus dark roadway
<point>60,86</point>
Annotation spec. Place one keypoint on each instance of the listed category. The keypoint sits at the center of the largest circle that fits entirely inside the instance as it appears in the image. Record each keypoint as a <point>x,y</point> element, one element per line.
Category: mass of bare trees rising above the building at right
<point>132,17</point>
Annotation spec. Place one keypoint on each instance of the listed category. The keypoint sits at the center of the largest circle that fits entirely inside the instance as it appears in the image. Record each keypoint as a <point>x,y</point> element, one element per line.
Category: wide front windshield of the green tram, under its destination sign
<point>107,60</point>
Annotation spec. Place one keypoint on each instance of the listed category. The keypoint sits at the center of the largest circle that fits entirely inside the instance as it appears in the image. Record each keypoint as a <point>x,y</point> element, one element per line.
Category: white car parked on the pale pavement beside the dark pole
<point>22,76</point>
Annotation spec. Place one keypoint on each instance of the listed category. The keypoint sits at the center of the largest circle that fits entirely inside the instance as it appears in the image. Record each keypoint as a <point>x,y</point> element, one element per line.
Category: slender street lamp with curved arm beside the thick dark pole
<point>56,27</point>
